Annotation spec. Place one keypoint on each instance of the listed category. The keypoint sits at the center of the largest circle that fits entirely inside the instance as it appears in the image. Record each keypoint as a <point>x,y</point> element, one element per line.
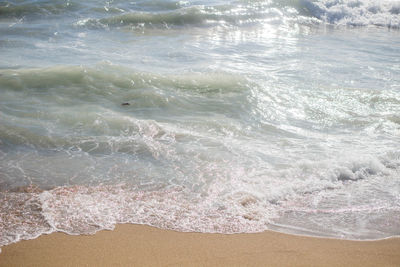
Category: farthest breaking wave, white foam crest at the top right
<point>340,13</point>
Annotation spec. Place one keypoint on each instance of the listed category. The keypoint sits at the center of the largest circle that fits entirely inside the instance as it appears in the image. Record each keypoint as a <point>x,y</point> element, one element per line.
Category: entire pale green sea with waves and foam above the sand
<point>207,116</point>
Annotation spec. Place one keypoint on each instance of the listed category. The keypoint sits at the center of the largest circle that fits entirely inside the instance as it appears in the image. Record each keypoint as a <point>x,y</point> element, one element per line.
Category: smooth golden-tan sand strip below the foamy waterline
<point>138,245</point>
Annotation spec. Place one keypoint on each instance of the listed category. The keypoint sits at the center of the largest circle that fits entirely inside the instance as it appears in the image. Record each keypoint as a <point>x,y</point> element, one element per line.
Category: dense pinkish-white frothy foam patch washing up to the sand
<point>81,209</point>
